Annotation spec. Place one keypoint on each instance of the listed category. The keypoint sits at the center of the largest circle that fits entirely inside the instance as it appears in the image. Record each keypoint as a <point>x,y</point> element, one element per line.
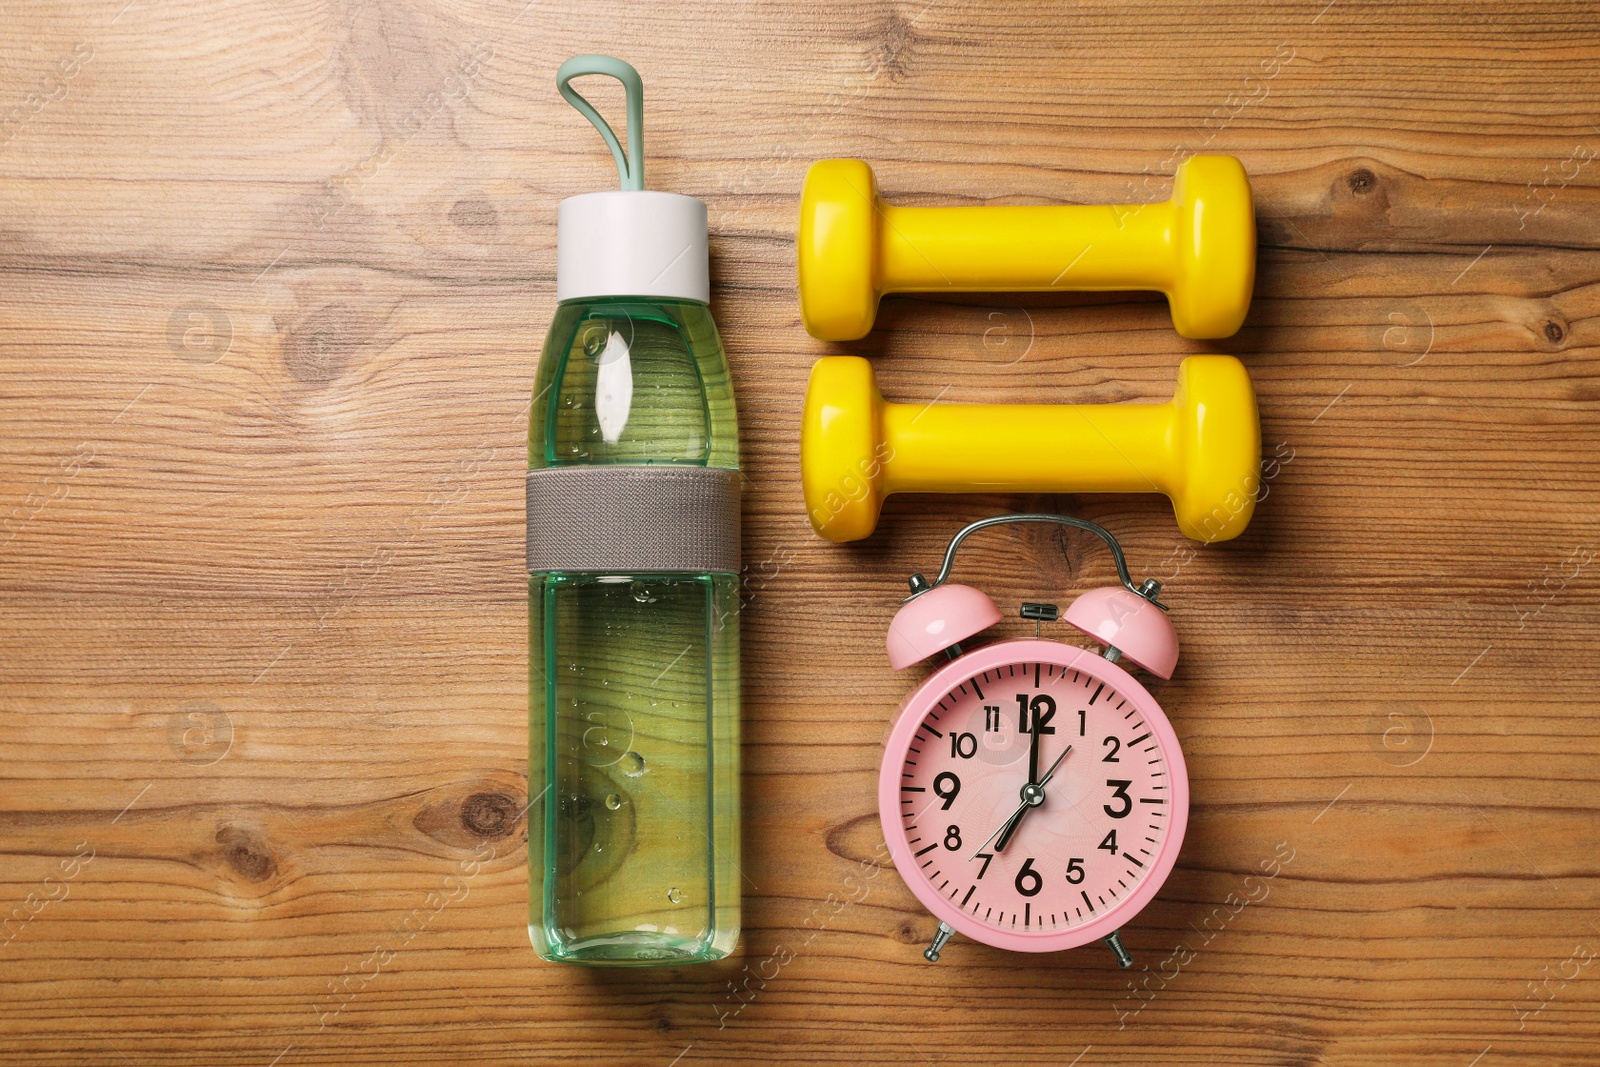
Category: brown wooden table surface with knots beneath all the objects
<point>273,282</point>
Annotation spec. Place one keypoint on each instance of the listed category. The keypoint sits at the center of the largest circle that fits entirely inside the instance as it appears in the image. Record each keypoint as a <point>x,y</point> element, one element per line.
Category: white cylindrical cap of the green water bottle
<point>631,244</point>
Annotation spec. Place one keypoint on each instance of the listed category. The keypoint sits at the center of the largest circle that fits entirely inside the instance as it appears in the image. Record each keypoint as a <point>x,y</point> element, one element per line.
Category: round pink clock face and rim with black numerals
<point>1100,844</point>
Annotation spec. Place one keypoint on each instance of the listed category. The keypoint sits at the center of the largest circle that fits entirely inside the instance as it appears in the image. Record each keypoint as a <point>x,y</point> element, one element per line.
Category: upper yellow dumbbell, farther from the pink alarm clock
<point>1199,249</point>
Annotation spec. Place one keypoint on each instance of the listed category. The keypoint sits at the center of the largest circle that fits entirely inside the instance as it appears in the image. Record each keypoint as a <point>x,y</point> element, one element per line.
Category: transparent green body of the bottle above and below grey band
<point>634,713</point>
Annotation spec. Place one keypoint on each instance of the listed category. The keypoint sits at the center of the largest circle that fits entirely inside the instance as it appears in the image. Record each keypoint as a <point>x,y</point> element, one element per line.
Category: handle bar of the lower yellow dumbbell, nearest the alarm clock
<point>993,449</point>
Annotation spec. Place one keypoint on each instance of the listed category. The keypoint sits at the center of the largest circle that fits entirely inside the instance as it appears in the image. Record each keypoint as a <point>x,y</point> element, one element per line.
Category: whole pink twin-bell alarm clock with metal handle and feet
<point>1033,793</point>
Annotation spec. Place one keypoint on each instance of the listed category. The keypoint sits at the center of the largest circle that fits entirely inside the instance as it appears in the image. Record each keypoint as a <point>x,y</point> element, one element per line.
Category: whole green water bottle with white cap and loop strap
<point>633,583</point>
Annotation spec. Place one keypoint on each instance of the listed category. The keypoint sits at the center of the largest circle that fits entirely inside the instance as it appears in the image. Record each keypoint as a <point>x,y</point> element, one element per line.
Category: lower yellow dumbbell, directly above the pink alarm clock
<point>1202,449</point>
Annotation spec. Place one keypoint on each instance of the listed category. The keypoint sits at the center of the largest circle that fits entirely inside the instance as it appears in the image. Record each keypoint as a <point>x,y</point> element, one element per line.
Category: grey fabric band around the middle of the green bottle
<point>634,519</point>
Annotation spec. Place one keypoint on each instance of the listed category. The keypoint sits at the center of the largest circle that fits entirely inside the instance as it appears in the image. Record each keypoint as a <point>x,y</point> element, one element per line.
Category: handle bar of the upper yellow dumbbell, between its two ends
<point>1015,249</point>
